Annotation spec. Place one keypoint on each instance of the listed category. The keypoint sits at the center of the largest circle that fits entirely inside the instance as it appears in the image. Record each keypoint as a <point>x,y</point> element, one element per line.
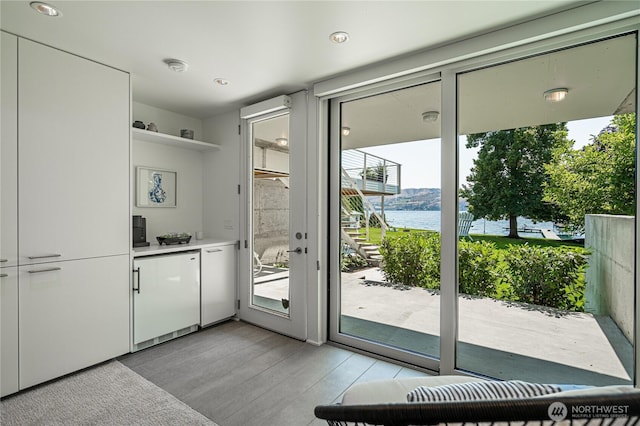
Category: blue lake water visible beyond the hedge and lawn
<point>430,220</point>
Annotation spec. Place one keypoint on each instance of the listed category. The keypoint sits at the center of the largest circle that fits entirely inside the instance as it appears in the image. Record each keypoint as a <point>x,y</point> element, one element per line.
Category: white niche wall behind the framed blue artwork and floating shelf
<point>187,216</point>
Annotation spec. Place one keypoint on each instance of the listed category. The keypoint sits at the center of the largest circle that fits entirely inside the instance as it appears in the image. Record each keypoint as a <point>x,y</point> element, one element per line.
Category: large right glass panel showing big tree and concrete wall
<point>547,166</point>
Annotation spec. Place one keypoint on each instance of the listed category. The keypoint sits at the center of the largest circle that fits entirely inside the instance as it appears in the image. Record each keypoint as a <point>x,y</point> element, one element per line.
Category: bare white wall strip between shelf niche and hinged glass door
<point>221,177</point>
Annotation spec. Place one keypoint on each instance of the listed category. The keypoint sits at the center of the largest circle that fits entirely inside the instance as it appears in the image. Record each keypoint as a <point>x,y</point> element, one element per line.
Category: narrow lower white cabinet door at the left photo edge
<point>8,331</point>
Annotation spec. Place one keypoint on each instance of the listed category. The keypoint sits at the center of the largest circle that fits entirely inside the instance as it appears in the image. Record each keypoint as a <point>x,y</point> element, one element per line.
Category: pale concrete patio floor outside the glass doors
<point>496,338</point>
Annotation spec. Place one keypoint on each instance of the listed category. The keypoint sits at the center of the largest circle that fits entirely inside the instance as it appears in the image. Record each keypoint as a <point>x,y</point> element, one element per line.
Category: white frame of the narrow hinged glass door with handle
<point>295,324</point>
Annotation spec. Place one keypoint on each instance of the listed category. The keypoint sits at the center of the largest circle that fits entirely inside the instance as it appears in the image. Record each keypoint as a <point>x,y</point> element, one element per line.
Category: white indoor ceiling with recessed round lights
<point>263,48</point>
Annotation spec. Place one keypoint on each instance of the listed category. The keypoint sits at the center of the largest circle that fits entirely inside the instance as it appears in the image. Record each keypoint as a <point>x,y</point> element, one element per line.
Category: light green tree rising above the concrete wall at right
<point>599,178</point>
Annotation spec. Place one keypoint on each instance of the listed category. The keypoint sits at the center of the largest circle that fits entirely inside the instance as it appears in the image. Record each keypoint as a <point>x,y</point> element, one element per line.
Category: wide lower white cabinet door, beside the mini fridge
<point>72,315</point>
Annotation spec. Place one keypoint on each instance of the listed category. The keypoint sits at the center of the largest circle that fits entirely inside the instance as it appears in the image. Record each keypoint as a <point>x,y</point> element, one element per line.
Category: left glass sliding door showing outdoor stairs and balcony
<point>386,222</point>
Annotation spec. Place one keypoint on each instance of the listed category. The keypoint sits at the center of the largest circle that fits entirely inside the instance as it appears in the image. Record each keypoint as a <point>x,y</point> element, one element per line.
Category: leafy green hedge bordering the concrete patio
<point>547,276</point>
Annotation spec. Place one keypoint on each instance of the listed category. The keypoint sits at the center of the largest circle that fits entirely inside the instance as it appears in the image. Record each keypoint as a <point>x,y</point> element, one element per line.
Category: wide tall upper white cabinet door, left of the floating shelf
<point>73,156</point>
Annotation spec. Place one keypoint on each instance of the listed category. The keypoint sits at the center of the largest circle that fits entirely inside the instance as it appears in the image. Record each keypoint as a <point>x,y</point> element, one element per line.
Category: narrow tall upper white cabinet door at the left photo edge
<point>9,151</point>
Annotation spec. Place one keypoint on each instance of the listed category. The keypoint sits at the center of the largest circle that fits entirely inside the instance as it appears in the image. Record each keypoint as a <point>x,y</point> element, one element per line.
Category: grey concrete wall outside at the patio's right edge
<point>610,275</point>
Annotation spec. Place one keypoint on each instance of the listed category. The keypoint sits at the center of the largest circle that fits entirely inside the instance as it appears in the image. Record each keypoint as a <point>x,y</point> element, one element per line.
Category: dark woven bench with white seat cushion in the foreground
<point>384,403</point>
